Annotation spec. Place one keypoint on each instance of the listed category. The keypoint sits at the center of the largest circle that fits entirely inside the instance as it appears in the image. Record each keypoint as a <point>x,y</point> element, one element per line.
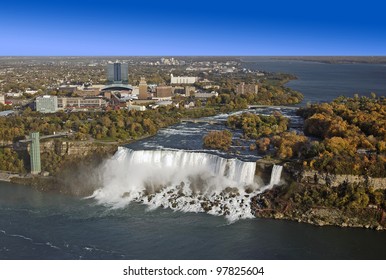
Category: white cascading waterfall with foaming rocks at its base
<point>180,180</point>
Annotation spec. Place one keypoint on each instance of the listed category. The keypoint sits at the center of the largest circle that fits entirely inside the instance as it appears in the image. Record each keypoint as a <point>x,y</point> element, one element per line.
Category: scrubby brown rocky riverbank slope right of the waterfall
<point>348,204</point>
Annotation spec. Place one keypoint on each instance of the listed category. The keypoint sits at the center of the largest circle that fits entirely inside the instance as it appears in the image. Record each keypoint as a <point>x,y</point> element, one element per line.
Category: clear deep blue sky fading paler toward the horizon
<point>143,27</point>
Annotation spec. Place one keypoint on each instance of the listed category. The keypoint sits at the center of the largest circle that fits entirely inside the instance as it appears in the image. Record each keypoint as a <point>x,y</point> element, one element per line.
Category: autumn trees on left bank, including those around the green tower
<point>118,126</point>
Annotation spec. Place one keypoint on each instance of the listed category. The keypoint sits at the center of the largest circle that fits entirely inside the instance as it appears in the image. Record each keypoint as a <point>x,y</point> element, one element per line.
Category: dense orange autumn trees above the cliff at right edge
<point>350,136</point>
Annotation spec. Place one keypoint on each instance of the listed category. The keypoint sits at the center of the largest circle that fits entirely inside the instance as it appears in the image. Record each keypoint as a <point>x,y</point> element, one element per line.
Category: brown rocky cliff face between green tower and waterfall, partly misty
<point>74,166</point>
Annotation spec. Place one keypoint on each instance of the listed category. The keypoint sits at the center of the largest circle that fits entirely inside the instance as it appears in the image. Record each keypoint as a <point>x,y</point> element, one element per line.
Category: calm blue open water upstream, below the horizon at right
<point>324,82</point>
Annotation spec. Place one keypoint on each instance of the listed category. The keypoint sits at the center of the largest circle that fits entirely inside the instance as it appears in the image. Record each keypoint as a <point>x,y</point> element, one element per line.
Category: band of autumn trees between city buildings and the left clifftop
<point>118,125</point>
